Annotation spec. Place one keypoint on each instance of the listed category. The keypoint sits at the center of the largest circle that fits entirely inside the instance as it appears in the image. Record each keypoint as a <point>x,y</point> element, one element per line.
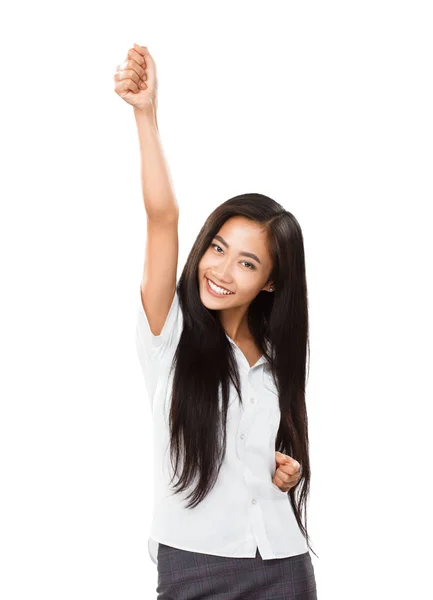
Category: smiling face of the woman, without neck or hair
<point>237,260</point>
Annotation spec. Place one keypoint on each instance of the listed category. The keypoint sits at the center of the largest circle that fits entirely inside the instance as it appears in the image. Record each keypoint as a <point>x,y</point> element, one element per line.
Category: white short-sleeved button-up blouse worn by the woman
<point>245,509</point>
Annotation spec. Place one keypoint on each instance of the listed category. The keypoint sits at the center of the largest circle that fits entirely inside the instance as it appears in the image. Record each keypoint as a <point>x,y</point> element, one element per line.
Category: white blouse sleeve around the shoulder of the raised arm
<point>155,352</point>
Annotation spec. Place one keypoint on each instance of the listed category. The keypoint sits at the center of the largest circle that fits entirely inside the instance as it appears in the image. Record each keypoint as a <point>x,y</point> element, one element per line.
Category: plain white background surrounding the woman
<point>324,106</point>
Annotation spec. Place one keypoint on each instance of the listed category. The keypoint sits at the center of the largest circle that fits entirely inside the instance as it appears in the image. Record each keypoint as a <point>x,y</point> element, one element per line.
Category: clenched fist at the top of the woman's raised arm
<point>135,79</point>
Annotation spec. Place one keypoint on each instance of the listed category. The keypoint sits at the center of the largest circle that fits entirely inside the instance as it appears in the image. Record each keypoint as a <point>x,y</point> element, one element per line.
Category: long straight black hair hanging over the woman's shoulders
<point>204,361</point>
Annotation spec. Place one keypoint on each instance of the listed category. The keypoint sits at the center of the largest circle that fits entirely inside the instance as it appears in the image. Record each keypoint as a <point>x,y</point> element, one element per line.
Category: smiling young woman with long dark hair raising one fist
<point>223,353</point>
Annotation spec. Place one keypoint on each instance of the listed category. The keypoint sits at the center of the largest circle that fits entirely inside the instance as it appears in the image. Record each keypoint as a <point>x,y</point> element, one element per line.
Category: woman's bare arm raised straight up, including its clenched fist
<point>138,86</point>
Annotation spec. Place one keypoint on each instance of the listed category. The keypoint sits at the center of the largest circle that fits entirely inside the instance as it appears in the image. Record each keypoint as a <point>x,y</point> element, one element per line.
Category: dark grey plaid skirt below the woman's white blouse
<point>184,575</point>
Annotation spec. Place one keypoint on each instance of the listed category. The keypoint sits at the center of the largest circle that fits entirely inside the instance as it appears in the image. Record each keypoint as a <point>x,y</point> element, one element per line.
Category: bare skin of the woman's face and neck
<point>239,274</point>
